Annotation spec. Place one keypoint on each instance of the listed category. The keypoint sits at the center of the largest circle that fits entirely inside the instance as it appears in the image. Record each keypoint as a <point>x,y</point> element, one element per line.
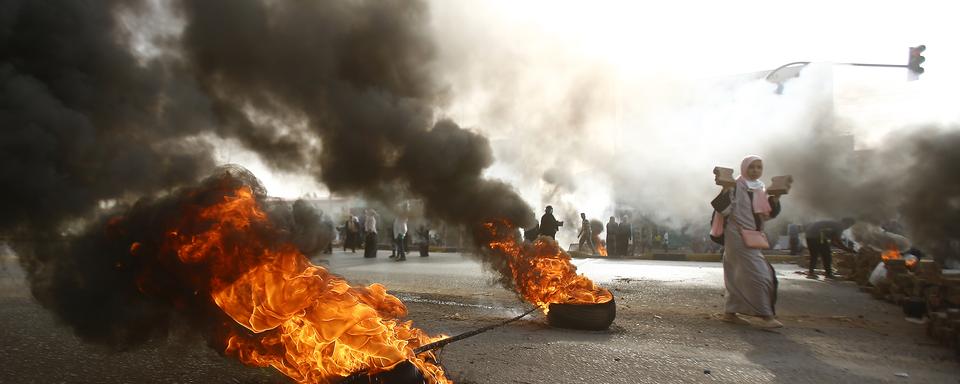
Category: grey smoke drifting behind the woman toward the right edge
<point>913,178</point>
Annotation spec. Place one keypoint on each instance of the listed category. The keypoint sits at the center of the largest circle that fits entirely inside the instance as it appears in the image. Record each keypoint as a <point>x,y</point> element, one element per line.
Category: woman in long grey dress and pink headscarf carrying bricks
<point>750,280</point>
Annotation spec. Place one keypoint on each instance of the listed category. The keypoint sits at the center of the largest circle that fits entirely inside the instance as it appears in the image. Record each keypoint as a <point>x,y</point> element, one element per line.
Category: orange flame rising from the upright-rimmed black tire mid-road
<point>542,272</point>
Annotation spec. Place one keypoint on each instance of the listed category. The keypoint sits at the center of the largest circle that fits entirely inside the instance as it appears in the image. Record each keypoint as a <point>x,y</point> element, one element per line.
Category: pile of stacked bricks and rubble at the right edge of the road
<point>925,290</point>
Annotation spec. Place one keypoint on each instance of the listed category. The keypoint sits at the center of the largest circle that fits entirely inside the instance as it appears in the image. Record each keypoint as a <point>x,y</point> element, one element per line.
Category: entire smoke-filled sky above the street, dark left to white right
<point>585,106</point>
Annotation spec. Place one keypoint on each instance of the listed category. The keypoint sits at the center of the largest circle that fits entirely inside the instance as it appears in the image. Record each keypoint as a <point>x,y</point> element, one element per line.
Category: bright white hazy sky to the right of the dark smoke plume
<point>587,103</point>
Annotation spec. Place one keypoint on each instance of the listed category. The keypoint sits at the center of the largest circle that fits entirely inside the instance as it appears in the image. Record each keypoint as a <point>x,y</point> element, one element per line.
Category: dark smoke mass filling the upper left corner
<point>82,121</point>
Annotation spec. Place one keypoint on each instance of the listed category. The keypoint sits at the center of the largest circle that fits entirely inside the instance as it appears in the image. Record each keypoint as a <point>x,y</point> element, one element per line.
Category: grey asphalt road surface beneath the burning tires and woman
<point>664,332</point>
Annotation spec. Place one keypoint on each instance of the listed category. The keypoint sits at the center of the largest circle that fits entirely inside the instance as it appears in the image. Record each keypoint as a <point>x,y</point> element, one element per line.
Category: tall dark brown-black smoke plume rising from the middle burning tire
<point>359,74</point>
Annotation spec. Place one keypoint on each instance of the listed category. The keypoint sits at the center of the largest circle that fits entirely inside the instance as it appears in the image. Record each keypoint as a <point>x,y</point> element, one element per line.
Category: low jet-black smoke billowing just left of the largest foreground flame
<point>114,295</point>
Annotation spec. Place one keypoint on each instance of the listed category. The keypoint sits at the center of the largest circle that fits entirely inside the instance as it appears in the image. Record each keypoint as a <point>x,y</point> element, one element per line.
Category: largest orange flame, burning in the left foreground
<point>300,319</point>
